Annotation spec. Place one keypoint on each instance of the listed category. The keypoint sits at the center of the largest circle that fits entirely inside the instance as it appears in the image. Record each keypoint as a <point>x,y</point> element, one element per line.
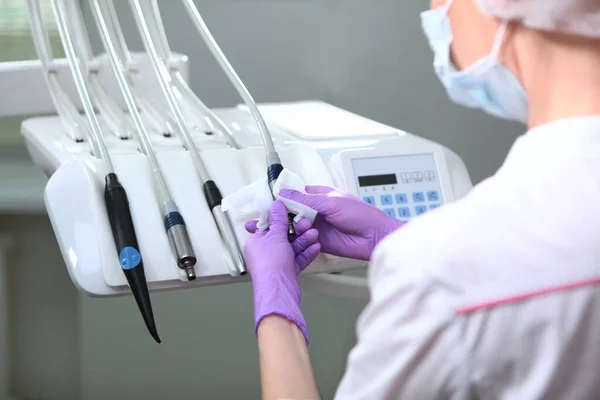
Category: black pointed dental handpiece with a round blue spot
<point>130,258</point>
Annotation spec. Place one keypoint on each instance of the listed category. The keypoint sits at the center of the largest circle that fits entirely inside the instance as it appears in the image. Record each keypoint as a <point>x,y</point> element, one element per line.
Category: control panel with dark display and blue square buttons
<point>401,186</point>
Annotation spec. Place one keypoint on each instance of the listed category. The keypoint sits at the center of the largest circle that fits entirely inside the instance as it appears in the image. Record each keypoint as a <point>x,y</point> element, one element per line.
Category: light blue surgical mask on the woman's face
<point>487,84</point>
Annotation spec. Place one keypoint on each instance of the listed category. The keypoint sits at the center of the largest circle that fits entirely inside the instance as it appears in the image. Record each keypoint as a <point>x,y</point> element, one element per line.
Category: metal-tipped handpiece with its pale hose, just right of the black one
<point>173,220</point>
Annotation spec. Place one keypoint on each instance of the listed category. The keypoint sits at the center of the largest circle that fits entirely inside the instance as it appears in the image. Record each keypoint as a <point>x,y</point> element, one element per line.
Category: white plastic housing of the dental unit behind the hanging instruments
<point>74,194</point>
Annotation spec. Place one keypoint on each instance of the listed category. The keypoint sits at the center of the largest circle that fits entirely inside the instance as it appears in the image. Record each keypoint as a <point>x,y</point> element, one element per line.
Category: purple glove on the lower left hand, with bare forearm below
<point>274,265</point>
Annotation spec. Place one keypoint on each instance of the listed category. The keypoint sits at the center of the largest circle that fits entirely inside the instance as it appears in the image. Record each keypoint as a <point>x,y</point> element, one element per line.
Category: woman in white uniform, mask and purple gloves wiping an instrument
<point>496,296</point>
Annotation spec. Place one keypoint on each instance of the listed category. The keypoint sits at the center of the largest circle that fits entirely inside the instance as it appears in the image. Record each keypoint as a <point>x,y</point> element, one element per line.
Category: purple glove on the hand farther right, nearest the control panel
<point>348,227</point>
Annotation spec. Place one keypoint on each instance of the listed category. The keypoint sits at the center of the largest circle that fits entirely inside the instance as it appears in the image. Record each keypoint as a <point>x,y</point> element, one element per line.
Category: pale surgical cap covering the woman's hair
<point>579,17</point>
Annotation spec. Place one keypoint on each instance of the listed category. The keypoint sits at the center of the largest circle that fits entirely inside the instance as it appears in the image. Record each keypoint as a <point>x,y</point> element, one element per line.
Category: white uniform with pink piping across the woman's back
<point>496,296</point>
